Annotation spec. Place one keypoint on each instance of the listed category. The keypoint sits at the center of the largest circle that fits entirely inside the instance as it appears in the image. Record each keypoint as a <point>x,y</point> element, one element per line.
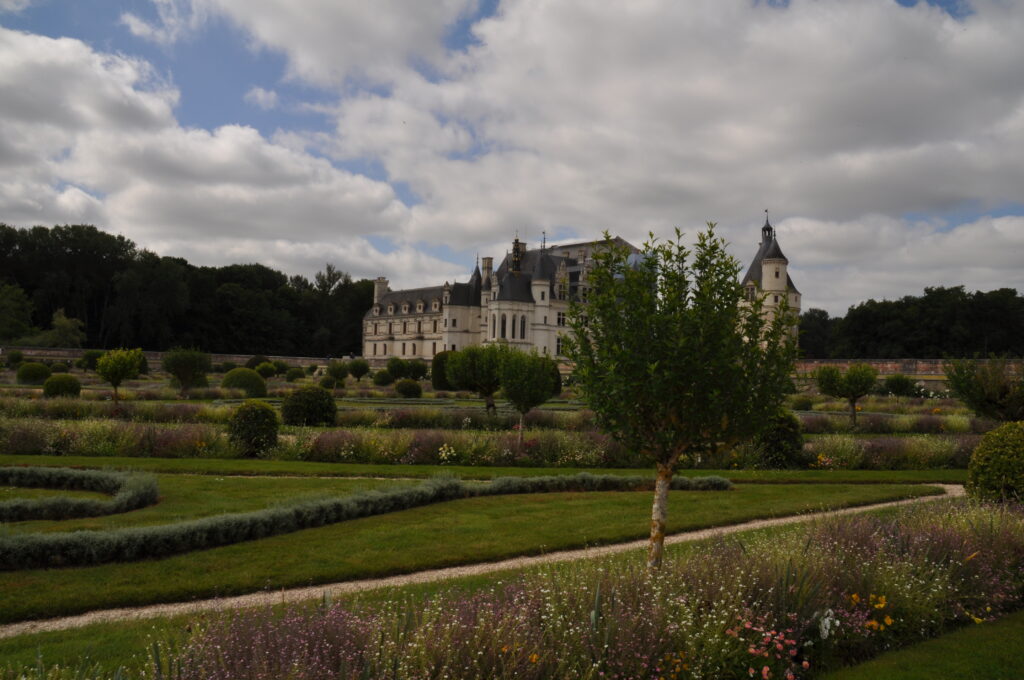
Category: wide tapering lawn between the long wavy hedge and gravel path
<point>443,535</point>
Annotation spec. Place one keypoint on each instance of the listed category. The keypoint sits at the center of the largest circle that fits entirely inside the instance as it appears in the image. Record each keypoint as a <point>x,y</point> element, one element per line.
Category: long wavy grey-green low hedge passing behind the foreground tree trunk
<point>81,548</point>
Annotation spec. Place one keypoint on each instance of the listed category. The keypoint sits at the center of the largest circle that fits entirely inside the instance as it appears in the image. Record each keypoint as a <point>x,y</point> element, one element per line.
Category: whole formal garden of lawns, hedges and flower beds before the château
<point>131,485</point>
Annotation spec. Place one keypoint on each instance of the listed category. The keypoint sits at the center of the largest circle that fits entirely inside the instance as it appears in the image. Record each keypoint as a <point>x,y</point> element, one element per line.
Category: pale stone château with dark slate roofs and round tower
<point>524,303</point>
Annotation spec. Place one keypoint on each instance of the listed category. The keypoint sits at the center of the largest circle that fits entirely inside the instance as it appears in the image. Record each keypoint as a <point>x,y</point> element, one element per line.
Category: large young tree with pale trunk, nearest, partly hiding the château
<point>672,360</point>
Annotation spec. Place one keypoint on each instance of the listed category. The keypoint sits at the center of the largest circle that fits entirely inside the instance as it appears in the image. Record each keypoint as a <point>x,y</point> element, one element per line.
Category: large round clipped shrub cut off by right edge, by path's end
<point>997,469</point>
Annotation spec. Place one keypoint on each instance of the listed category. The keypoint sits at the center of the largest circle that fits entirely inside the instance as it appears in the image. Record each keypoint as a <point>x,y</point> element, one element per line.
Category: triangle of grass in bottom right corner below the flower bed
<point>988,652</point>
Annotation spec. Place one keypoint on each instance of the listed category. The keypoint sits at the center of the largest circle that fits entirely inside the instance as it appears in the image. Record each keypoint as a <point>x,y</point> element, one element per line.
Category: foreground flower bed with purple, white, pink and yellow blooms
<point>787,606</point>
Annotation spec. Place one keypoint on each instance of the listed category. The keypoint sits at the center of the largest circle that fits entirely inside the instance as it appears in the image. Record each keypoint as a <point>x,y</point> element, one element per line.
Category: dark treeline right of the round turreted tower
<point>944,322</point>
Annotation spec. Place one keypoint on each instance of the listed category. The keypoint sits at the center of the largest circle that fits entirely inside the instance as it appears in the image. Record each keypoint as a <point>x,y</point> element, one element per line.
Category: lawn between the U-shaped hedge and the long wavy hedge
<point>191,497</point>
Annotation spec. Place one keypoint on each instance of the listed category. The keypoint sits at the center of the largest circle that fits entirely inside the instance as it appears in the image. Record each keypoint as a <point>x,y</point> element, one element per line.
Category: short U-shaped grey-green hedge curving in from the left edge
<point>131,492</point>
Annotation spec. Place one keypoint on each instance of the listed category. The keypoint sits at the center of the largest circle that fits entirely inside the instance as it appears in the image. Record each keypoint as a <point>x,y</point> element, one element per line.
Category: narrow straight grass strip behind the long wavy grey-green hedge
<point>260,467</point>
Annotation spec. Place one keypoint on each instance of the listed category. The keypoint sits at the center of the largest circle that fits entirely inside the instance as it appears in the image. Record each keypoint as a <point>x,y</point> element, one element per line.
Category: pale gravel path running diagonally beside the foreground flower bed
<point>264,599</point>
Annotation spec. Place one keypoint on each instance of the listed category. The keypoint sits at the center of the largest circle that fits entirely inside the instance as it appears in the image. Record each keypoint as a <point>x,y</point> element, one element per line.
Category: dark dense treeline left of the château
<point>126,296</point>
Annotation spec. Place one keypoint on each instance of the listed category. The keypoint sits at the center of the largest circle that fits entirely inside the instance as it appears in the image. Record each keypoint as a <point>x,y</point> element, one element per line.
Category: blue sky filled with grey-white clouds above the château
<point>405,139</point>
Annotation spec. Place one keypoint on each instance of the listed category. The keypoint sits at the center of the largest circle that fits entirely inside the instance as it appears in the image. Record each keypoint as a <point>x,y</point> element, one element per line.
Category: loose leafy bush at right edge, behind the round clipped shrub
<point>988,388</point>
